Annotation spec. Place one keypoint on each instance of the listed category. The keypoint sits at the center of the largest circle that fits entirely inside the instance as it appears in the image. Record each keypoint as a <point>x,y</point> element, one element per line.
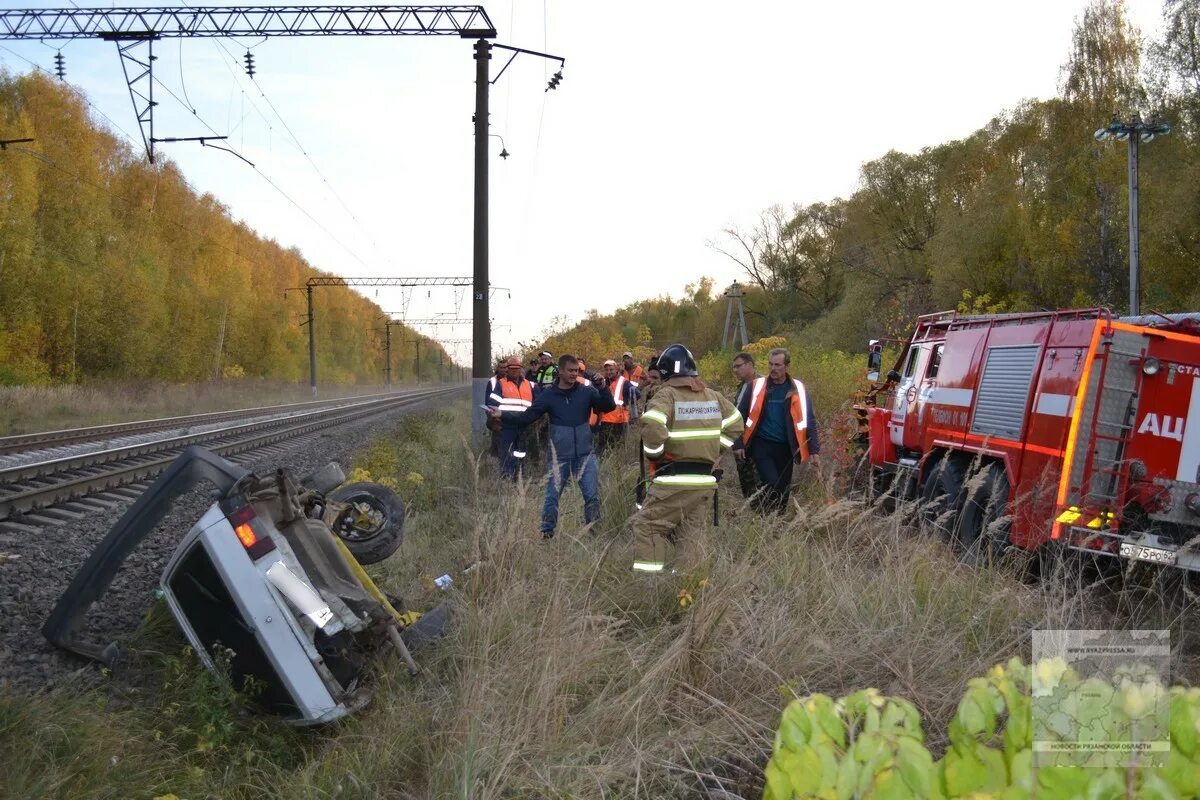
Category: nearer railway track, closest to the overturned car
<point>56,491</point>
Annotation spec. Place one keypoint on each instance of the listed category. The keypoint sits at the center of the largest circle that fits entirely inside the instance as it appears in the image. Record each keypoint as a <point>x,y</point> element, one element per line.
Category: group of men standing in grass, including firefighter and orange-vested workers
<point>686,428</point>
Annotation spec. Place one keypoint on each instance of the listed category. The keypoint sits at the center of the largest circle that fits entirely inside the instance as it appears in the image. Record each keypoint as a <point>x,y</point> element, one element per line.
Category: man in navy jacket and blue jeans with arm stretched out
<point>569,405</point>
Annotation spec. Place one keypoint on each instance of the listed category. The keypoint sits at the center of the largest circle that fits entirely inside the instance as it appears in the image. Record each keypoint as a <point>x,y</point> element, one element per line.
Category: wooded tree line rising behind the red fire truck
<point>1028,213</point>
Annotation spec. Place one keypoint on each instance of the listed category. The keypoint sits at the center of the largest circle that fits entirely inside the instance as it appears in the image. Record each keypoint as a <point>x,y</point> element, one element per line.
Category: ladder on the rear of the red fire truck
<point>1109,416</point>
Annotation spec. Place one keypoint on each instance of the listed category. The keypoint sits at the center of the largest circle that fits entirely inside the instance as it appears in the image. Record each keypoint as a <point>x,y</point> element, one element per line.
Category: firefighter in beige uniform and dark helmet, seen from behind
<point>686,429</point>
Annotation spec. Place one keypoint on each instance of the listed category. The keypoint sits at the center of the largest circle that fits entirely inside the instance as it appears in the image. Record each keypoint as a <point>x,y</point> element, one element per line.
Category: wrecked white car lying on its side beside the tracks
<point>273,573</point>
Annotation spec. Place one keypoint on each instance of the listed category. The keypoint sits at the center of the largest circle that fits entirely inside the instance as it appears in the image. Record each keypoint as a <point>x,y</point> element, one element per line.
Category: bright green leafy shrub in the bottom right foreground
<point>867,745</point>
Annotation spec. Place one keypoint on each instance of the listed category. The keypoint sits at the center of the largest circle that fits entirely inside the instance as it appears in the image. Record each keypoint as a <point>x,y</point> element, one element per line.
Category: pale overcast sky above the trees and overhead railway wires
<point>674,122</point>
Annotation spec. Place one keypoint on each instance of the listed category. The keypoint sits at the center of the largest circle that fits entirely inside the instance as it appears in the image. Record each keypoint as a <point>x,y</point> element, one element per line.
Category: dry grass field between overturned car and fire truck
<point>565,677</point>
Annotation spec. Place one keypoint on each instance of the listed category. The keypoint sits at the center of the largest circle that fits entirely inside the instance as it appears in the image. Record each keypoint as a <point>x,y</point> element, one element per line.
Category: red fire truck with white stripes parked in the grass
<point>1070,426</point>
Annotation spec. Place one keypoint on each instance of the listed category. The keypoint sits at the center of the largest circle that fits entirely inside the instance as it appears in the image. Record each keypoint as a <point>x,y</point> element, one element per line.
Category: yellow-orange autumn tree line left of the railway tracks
<point>113,268</point>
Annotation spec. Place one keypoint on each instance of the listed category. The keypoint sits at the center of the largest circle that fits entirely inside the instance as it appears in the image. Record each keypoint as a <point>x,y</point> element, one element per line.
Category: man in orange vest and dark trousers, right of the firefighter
<point>781,430</point>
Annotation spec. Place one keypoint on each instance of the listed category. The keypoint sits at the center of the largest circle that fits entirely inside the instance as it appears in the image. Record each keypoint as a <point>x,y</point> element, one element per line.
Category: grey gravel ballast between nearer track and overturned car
<point>37,568</point>
